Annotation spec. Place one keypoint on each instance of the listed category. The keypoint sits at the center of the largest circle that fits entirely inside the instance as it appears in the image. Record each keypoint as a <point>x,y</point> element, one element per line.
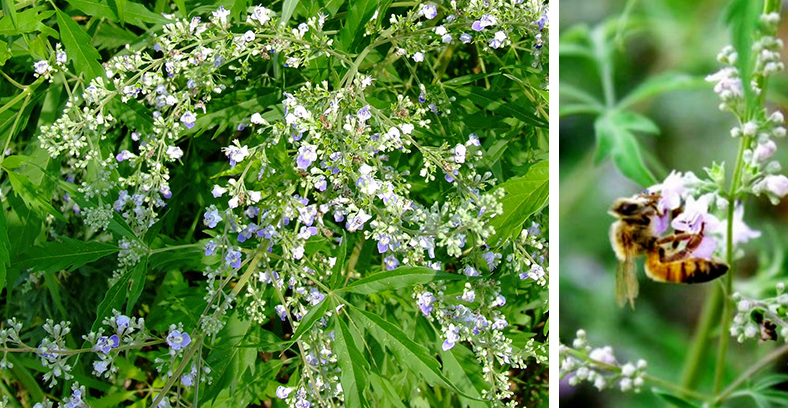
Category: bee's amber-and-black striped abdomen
<point>690,270</point>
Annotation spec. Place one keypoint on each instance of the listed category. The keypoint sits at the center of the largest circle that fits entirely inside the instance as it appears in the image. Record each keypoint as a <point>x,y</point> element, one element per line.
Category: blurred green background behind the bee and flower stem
<point>663,36</point>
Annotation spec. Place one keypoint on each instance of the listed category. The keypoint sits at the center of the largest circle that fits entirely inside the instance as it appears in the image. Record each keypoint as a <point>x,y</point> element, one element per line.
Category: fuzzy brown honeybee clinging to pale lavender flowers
<point>633,234</point>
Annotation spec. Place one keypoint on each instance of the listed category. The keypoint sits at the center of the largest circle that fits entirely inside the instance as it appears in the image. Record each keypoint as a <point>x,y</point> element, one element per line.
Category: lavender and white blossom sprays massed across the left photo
<point>268,210</point>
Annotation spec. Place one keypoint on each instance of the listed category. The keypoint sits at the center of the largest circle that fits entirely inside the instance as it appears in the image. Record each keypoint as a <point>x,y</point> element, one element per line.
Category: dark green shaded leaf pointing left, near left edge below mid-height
<point>66,254</point>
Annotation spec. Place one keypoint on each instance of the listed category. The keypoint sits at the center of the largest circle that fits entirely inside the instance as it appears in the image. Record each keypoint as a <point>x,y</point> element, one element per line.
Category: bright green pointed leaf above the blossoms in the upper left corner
<point>77,43</point>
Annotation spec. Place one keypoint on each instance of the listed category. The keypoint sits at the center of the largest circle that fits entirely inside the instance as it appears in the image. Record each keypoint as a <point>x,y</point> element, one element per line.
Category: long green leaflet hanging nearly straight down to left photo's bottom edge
<point>353,365</point>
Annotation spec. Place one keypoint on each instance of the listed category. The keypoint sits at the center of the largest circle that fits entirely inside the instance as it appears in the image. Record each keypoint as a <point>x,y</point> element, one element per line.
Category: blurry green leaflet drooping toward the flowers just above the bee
<point>619,143</point>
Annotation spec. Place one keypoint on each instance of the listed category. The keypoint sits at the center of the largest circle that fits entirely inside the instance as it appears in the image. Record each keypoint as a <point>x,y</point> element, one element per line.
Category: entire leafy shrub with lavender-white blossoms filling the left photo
<point>229,205</point>
